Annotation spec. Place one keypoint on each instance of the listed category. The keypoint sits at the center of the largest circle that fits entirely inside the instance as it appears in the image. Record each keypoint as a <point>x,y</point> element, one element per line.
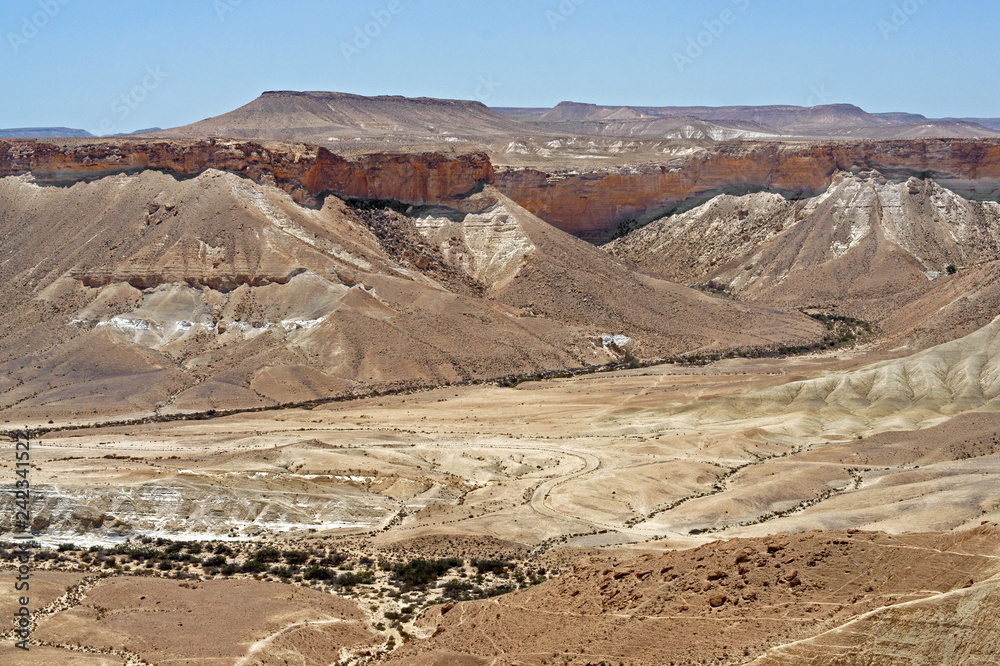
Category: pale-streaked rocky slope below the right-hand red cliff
<point>865,248</point>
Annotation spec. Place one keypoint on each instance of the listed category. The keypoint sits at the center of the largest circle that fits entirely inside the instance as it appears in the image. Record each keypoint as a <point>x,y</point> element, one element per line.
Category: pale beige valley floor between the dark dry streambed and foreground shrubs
<point>747,447</point>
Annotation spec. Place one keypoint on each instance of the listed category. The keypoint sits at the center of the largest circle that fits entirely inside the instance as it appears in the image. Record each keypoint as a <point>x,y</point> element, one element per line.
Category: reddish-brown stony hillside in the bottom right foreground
<point>727,602</point>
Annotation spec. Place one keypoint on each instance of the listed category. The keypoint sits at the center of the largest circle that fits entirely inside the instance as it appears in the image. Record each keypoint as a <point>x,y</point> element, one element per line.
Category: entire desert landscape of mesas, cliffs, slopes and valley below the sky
<point>342,379</point>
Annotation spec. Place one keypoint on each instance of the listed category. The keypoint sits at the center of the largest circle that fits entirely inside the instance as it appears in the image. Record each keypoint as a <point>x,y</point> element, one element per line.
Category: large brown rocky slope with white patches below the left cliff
<point>141,292</point>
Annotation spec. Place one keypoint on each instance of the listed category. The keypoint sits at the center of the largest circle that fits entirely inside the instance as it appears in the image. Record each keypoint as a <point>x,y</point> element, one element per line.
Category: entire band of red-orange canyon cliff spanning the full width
<point>591,204</point>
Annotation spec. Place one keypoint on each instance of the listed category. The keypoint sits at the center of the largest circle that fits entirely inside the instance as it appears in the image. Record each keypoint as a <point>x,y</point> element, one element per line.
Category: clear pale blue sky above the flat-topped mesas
<point>70,62</point>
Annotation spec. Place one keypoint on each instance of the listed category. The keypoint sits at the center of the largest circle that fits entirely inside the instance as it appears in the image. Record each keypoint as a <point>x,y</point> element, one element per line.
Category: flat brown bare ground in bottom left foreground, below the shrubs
<point>198,622</point>
